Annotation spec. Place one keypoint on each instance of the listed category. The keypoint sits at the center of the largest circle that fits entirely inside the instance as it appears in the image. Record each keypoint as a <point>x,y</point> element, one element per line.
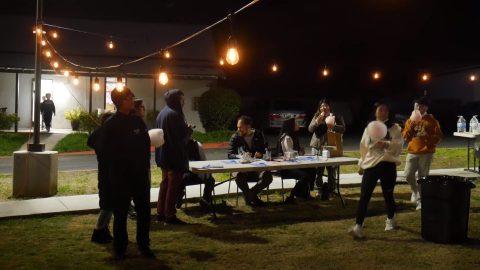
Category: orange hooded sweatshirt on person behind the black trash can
<point>423,137</point>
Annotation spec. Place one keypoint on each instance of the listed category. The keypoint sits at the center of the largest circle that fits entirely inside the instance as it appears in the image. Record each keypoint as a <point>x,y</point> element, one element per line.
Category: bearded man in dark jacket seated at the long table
<point>250,141</point>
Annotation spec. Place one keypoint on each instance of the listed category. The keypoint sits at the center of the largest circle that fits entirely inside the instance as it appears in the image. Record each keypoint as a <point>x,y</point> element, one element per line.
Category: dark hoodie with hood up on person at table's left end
<point>173,153</point>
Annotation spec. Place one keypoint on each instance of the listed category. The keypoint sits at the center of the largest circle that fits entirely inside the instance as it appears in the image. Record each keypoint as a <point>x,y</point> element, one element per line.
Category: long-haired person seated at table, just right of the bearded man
<point>288,142</point>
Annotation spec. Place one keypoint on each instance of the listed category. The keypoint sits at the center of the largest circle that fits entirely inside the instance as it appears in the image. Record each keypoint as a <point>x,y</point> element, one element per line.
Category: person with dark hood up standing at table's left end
<point>172,156</point>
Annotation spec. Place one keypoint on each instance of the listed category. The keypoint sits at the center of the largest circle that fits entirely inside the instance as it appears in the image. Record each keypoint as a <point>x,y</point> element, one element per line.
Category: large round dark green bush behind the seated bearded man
<point>218,108</point>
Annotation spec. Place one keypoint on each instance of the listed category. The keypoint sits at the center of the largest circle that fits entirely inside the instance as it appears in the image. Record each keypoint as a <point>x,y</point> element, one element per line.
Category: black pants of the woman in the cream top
<point>387,173</point>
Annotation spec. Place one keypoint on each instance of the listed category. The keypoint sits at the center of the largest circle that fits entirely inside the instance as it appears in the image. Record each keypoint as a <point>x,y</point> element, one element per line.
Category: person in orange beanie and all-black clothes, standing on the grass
<point>126,148</point>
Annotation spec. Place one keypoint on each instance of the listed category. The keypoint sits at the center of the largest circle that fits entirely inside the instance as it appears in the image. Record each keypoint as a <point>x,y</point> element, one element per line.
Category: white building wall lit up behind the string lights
<point>67,96</point>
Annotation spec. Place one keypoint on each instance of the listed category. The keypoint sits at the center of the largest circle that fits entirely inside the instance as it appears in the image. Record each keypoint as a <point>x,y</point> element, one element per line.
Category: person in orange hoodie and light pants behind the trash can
<point>422,138</point>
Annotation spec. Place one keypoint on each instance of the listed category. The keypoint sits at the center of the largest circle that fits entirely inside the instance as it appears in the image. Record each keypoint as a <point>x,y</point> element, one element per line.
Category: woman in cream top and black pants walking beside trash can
<point>378,161</point>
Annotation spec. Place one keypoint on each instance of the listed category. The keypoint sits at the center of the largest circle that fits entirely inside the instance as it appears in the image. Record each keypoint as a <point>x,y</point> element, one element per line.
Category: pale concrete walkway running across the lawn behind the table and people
<point>89,203</point>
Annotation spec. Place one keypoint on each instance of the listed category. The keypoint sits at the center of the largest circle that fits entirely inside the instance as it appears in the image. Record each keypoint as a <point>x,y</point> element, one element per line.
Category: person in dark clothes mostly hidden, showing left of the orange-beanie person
<point>101,233</point>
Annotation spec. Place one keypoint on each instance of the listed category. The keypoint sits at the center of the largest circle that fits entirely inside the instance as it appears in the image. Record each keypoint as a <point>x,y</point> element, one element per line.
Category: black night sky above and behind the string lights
<point>401,38</point>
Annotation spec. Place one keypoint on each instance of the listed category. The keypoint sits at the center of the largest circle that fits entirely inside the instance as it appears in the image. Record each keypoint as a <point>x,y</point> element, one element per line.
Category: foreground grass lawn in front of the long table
<point>311,235</point>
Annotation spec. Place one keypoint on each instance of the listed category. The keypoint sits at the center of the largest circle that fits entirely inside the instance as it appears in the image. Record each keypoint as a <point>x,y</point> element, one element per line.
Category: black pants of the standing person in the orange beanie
<point>134,185</point>
